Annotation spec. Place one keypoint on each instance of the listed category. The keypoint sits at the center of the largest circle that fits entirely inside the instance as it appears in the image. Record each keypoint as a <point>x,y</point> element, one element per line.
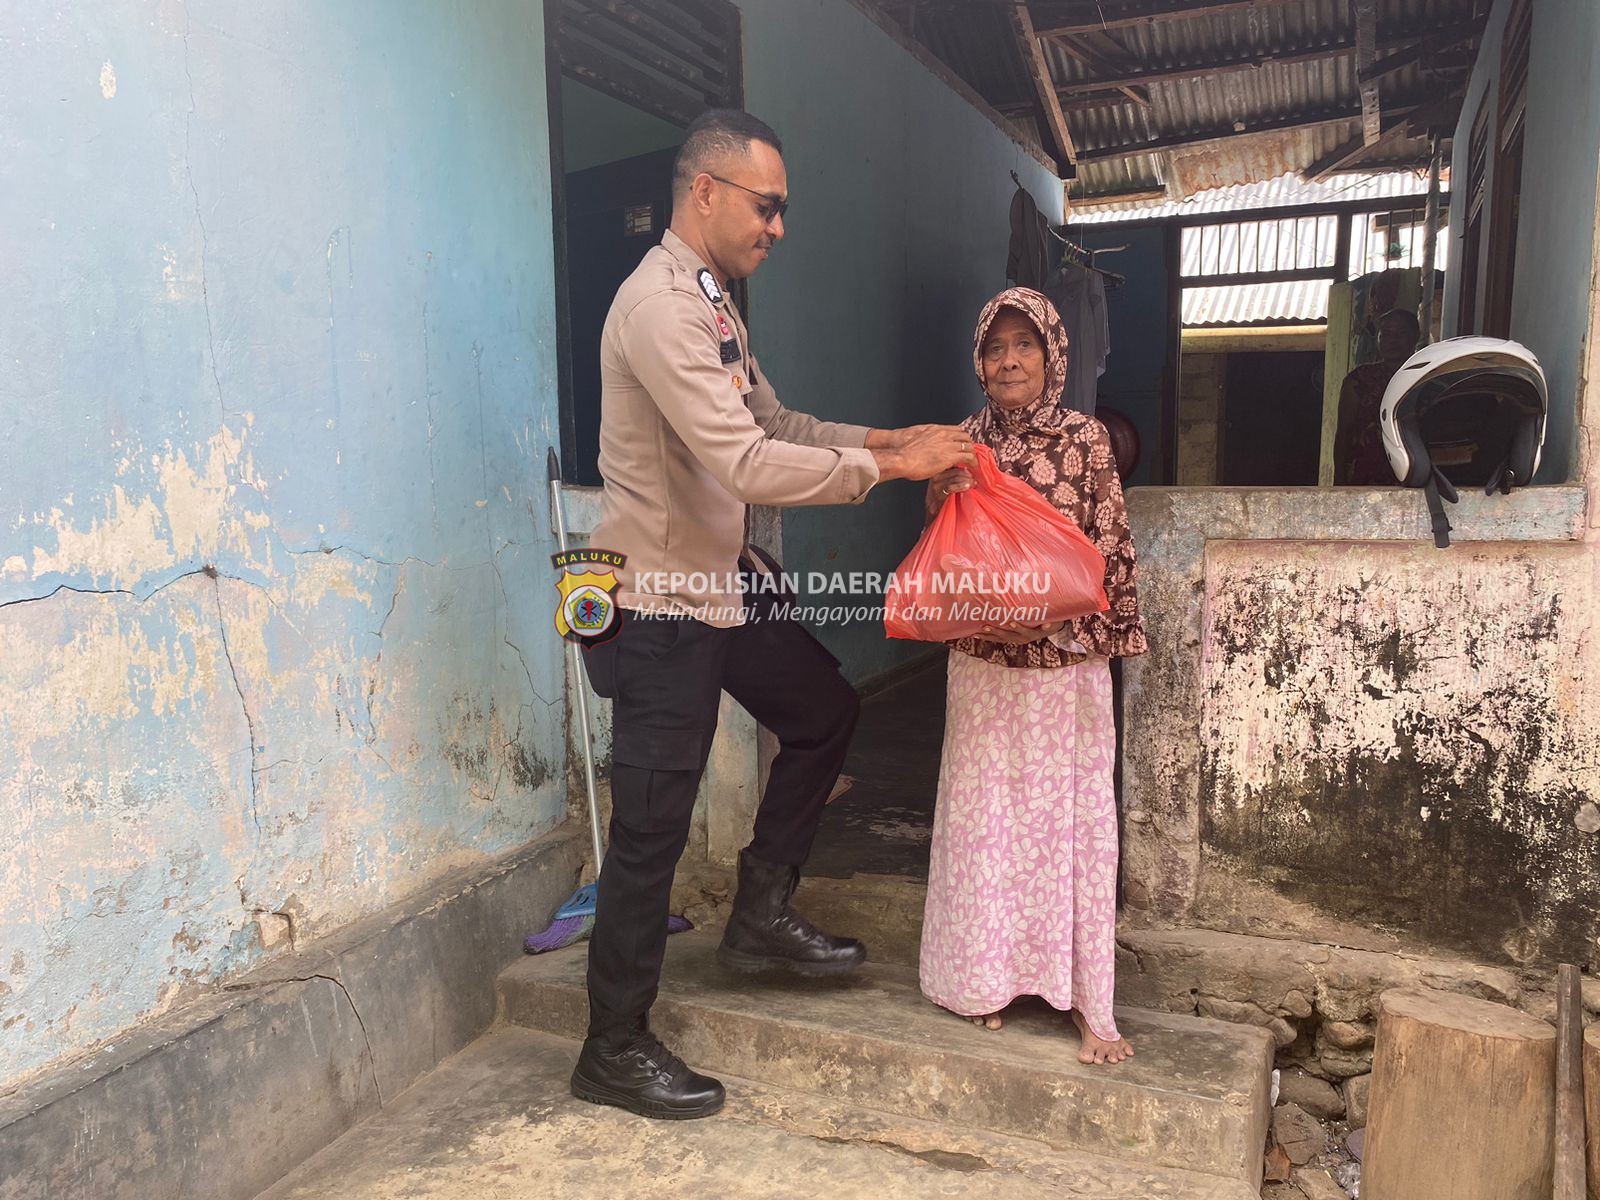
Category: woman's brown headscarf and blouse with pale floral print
<point>1066,458</point>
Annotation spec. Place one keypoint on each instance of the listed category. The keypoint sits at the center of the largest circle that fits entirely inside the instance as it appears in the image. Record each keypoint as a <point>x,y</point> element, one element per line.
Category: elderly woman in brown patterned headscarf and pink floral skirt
<point>1023,876</point>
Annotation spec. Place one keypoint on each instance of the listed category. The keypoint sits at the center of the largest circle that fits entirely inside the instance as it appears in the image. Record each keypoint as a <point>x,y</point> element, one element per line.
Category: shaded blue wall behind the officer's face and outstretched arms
<point>902,194</point>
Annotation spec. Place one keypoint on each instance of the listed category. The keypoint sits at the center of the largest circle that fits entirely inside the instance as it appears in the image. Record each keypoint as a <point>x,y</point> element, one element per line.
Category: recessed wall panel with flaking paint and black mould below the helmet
<point>1406,740</point>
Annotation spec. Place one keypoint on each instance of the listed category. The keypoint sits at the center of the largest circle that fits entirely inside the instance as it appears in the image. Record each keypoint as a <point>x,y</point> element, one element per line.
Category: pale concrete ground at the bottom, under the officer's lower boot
<point>497,1122</point>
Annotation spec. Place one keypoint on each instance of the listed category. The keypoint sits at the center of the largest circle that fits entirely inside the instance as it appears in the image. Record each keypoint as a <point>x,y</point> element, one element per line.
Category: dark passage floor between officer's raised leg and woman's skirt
<point>884,823</point>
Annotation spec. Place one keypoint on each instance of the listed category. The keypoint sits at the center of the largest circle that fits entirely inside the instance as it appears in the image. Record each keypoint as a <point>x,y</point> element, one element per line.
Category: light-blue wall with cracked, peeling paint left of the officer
<point>276,385</point>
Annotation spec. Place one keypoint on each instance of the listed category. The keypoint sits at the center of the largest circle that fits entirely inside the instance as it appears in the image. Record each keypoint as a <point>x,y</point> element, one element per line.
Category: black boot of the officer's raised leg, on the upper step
<point>766,932</point>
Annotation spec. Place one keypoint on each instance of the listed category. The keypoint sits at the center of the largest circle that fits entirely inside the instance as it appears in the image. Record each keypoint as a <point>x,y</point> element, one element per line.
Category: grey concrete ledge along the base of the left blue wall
<point>226,1097</point>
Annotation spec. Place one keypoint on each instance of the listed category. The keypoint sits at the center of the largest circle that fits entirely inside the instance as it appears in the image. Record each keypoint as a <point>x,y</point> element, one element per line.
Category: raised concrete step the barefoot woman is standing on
<point>1196,1097</point>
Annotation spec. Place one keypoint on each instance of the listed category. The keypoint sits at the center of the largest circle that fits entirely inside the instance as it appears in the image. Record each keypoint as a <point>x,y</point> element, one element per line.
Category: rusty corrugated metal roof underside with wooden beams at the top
<point>977,41</point>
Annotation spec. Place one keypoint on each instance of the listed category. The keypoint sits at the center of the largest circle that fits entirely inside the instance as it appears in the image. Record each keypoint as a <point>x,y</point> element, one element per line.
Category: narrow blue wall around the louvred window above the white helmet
<point>1556,225</point>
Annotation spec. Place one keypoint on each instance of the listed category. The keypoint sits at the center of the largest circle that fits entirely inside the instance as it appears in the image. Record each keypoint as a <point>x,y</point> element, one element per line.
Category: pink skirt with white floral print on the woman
<point>1023,876</point>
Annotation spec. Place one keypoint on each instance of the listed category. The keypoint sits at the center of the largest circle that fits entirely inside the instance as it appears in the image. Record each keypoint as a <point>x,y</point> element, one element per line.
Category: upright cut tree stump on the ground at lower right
<point>1463,1102</point>
